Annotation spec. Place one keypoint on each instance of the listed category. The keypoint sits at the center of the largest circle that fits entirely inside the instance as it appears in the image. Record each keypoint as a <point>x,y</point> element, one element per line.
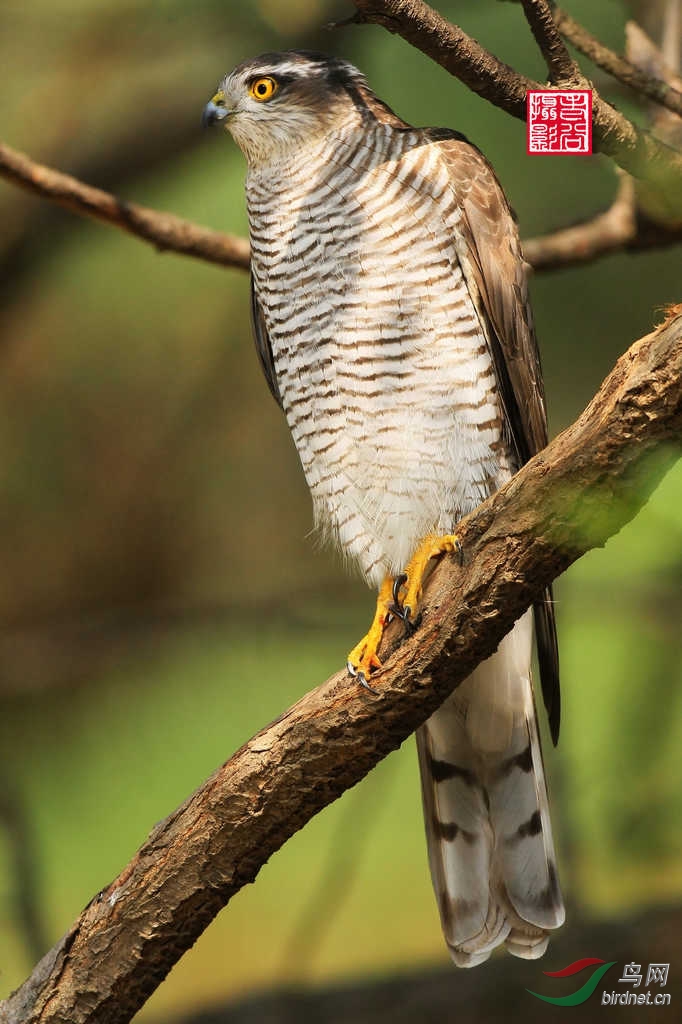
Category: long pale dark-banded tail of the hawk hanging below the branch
<point>487,812</point>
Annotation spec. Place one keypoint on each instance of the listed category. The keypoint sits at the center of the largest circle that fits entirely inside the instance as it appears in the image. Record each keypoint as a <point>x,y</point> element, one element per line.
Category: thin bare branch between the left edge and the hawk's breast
<point>164,231</point>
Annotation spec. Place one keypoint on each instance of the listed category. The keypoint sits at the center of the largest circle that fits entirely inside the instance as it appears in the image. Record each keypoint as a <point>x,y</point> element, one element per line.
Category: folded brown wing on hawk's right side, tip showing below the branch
<point>497,276</point>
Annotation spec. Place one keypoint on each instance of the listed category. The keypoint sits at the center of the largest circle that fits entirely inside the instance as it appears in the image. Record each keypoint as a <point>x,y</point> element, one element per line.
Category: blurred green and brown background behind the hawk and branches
<point>161,598</point>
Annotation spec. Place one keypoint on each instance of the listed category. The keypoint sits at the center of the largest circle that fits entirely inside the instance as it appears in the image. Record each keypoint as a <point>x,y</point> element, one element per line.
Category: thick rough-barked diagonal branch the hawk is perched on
<point>572,497</point>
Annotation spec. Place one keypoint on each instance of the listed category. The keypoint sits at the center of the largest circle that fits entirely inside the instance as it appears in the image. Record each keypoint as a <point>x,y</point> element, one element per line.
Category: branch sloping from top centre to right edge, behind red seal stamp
<point>634,150</point>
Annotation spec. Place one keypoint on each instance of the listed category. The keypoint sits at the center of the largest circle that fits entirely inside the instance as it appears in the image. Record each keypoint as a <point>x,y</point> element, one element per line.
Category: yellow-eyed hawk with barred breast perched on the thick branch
<point>392,319</point>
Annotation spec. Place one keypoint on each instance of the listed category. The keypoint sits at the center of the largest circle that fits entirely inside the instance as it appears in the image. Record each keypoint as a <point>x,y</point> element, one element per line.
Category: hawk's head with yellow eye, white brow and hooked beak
<point>278,102</point>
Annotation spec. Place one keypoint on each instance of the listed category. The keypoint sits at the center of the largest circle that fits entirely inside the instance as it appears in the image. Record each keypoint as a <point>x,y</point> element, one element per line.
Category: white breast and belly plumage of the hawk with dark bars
<point>386,377</point>
